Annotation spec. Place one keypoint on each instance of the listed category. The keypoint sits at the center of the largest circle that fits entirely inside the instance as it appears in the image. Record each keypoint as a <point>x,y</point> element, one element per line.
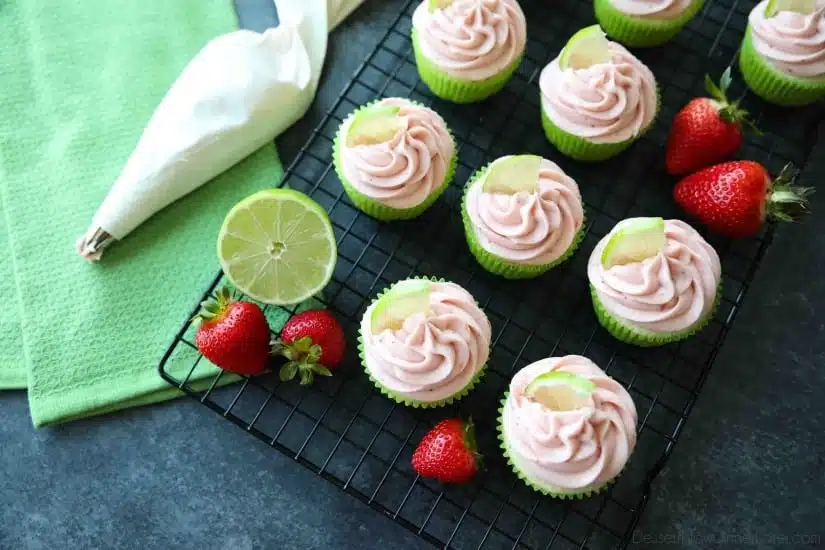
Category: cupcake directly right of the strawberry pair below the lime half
<point>424,343</point>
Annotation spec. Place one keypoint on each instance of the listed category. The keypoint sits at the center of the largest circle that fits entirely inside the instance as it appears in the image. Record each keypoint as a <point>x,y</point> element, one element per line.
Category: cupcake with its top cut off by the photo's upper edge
<point>643,23</point>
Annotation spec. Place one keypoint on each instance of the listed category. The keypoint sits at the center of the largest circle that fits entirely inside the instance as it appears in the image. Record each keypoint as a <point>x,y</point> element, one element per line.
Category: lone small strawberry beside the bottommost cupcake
<point>448,452</point>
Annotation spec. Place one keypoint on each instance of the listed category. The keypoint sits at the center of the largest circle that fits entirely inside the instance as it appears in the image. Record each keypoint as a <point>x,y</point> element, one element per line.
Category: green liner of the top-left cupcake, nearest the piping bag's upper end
<point>453,89</point>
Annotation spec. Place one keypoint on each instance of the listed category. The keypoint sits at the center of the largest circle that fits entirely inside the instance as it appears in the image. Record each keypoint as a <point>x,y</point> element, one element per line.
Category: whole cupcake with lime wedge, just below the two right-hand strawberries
<point>654,281</point>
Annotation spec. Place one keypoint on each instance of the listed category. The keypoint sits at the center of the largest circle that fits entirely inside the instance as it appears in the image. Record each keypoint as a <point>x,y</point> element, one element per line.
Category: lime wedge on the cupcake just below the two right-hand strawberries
<point>634,241</point>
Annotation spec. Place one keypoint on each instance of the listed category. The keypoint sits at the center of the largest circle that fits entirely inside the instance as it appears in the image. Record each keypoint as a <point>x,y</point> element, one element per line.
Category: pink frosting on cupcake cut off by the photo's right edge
<point>792,42</point>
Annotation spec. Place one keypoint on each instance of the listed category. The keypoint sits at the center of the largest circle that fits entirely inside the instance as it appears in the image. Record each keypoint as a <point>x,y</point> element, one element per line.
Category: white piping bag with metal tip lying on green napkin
<point>239,92</point>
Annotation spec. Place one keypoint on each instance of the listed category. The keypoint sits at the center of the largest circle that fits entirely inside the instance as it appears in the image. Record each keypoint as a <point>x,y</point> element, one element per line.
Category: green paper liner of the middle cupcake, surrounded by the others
<point>500,266</point>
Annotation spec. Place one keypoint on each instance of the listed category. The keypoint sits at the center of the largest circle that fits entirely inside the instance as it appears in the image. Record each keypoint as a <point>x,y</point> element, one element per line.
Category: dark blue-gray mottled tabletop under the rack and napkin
<point>747,471</point>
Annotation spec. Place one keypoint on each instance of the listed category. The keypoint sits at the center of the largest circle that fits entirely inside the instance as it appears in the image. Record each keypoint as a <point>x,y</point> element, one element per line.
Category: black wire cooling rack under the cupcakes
<point>347,432</point>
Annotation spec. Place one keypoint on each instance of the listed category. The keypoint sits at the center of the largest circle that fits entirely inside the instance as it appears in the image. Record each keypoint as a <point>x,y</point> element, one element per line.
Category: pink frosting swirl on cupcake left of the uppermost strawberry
<point>606,103</point>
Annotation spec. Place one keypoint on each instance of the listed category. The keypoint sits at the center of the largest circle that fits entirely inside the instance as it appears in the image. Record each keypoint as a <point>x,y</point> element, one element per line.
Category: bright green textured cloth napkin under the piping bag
<point>79,82</point>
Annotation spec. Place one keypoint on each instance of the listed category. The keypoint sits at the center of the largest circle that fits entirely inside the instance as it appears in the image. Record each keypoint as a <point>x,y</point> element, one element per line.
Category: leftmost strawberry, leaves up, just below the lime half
<point>233,335</point>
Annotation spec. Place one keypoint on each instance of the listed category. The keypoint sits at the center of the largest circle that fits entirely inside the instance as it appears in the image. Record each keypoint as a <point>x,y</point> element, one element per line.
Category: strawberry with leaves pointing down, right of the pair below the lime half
<point>314,343</point>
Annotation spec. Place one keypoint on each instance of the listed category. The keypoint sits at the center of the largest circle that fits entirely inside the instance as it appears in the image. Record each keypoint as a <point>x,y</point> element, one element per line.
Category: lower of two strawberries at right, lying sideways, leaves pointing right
<point>734,198</point>
